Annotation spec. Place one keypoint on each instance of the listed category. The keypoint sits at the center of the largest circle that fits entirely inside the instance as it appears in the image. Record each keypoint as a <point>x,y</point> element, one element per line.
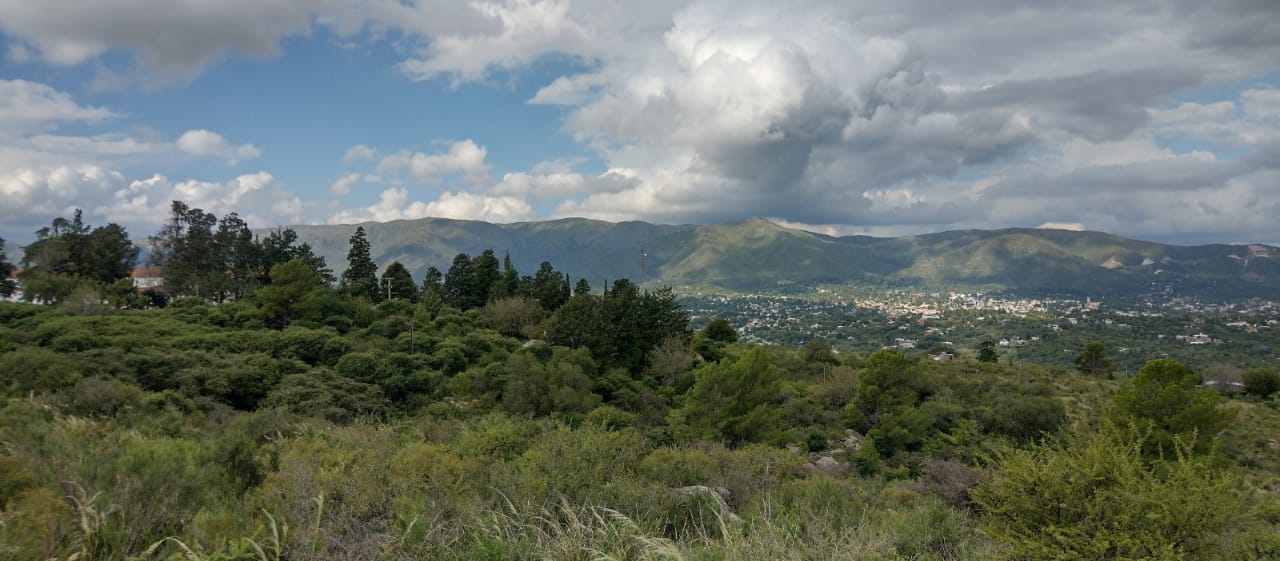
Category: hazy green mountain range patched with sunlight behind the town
<point>757,254</point>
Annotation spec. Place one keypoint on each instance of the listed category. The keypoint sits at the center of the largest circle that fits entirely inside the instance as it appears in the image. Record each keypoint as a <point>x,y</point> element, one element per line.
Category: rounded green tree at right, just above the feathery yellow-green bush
<point>1164,396</point>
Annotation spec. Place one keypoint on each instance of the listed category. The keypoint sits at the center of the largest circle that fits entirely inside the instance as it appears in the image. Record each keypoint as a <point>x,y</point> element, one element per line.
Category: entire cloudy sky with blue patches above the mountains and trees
<point>1155,120</point>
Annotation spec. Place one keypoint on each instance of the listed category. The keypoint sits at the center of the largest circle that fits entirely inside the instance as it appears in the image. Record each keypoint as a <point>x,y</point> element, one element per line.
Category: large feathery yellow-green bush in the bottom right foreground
<point>1095,496</point>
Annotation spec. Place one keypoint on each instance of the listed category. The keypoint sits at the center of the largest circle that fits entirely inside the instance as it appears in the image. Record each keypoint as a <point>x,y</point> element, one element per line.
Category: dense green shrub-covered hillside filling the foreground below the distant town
<point>490,416</point>
